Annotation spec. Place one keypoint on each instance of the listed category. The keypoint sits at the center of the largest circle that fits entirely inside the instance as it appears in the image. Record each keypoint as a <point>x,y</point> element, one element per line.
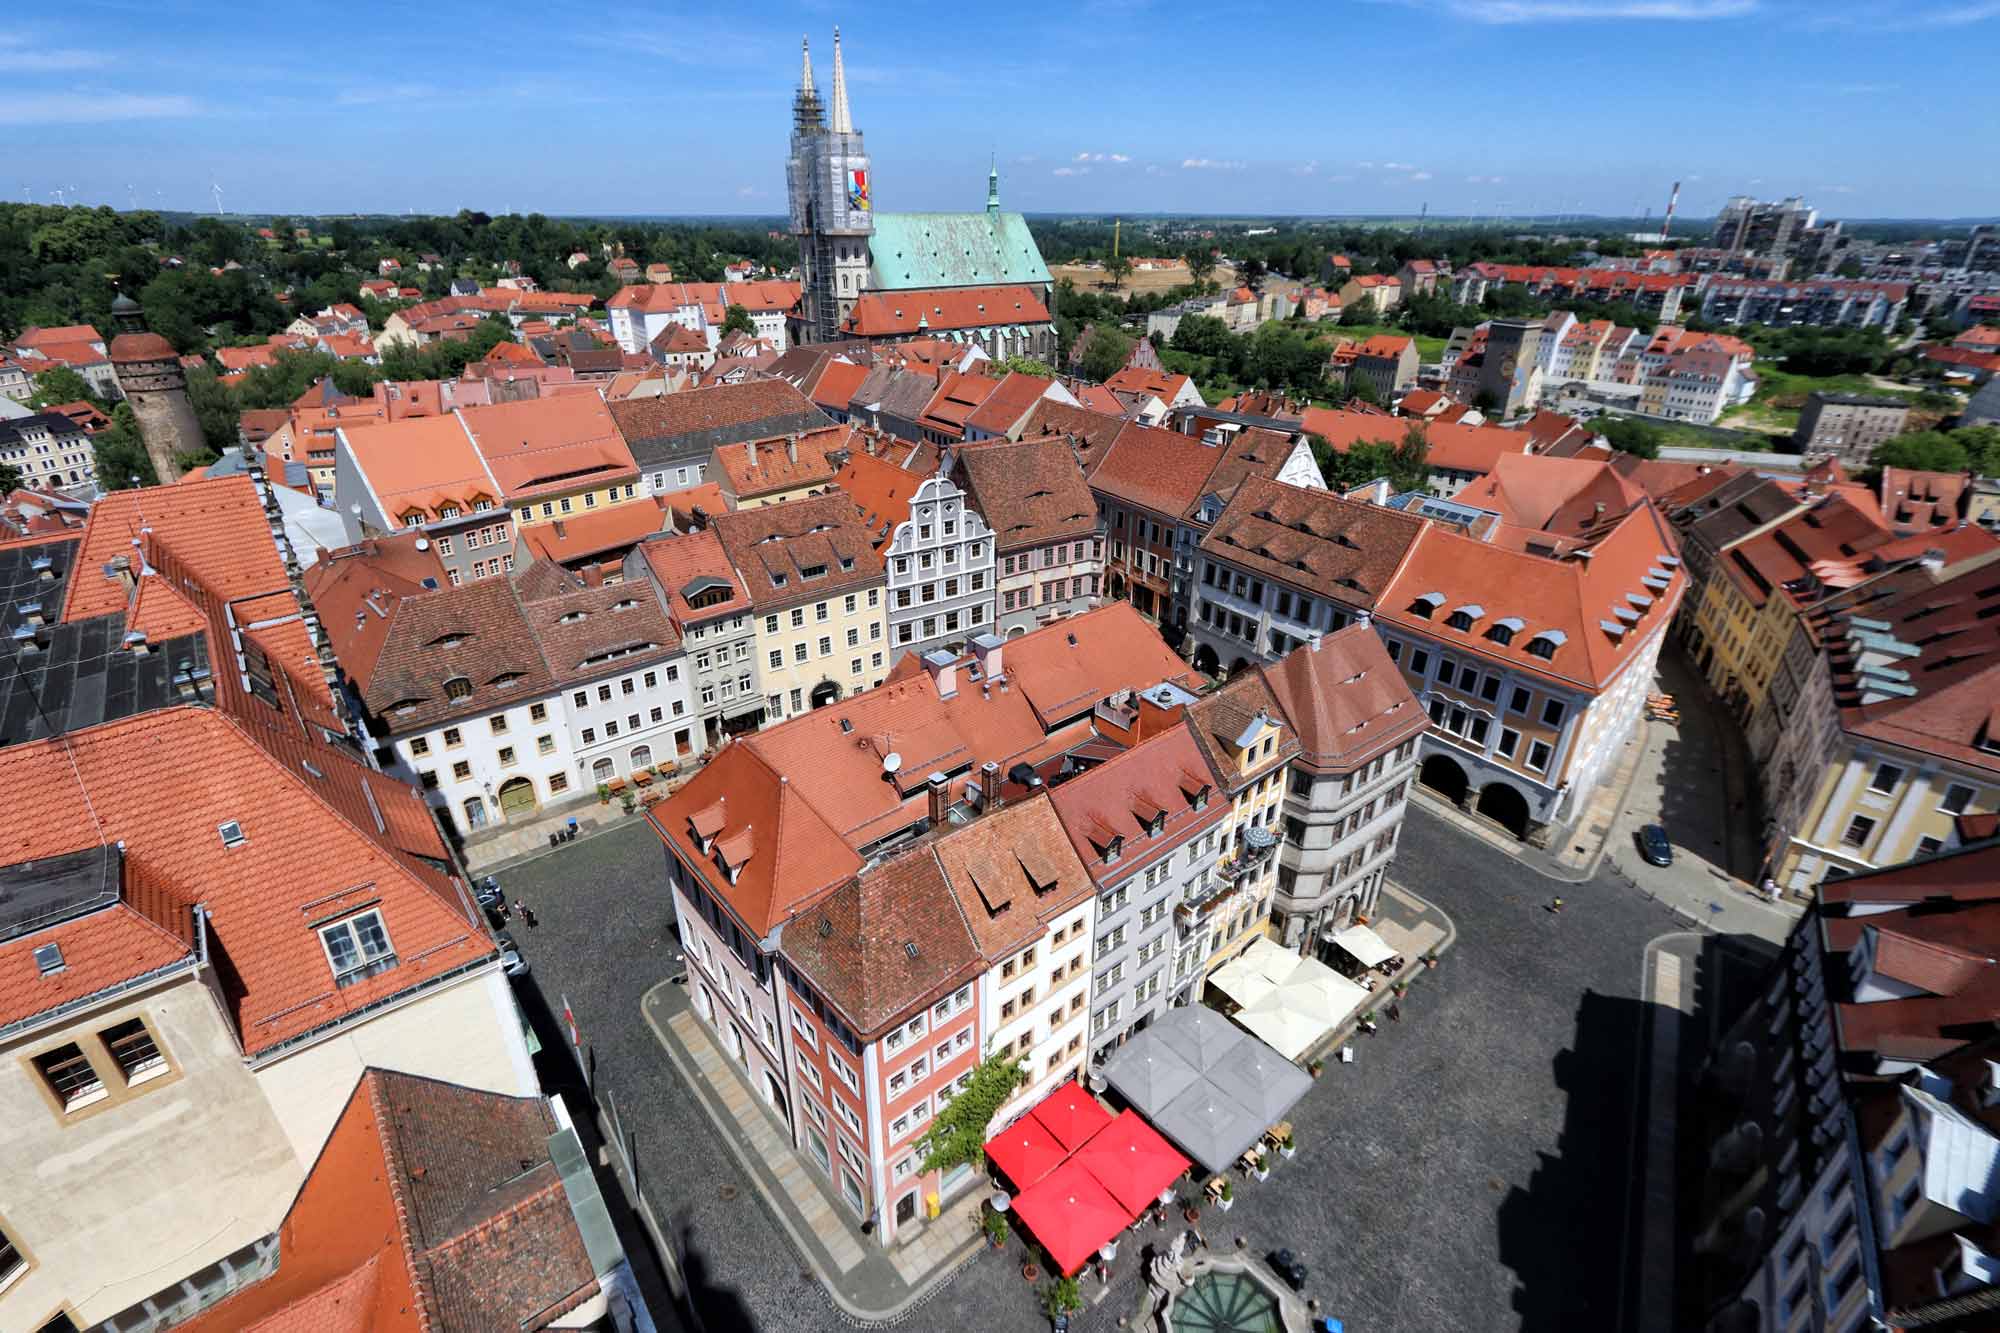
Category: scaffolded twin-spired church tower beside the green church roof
<point>833,205</point>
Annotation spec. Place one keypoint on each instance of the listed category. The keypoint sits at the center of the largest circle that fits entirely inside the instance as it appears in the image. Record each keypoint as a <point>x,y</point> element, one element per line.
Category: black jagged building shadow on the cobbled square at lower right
<point>1565,1236</point>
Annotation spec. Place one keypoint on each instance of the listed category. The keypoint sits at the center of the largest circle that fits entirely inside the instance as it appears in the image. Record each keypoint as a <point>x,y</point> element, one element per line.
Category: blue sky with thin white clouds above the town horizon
<point>1493,107</point>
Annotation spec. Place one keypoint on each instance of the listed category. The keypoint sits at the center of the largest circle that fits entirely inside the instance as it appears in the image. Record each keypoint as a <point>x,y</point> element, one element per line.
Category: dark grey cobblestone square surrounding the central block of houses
<point>1473,1170</point>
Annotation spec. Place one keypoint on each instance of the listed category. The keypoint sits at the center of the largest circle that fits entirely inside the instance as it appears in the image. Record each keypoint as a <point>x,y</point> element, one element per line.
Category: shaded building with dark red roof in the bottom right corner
<point>1849,1114</point>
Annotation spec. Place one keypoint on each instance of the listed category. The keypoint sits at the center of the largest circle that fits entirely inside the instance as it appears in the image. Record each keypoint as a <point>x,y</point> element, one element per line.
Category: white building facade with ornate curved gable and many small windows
<point>941,573</point>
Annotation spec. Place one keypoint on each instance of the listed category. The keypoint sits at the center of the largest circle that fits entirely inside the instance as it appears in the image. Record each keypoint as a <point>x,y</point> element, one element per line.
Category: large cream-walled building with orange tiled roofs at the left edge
<point>217,978</point>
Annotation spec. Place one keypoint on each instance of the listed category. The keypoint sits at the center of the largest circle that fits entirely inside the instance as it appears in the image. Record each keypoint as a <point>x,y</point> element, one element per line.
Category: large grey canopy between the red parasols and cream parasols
<point>1205,1084</point>
